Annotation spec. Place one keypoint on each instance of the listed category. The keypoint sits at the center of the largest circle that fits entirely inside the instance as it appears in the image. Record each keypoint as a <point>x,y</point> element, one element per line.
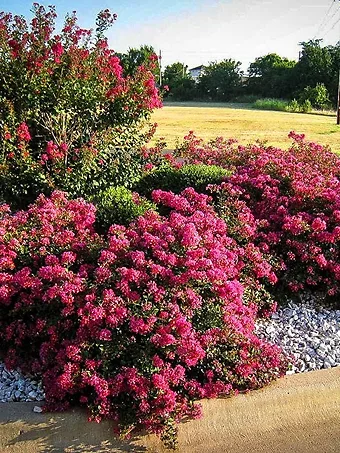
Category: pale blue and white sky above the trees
<point>196,32</point>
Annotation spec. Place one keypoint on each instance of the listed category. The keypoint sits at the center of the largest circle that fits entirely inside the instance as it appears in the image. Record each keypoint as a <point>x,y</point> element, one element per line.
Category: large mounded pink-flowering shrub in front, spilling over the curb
<point>141,323</point>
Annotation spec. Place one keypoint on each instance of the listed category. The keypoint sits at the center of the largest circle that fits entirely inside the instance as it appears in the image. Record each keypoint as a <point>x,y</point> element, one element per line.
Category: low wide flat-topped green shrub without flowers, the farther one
<point>175,180</point>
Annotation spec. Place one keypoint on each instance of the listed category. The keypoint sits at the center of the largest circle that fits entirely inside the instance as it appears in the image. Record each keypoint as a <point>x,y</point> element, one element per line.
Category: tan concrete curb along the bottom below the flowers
<point>298,414</point>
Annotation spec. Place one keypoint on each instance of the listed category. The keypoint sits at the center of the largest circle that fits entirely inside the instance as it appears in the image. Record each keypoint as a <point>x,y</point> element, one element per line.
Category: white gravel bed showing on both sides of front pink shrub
<point>308,332</point>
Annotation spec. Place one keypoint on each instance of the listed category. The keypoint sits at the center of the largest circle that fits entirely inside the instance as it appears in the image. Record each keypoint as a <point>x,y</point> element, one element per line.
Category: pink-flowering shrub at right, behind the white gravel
<point>293,195</point>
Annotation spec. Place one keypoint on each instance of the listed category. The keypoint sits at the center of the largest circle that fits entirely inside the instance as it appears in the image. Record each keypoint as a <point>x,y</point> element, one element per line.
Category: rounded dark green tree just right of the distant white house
<point>221,81</point>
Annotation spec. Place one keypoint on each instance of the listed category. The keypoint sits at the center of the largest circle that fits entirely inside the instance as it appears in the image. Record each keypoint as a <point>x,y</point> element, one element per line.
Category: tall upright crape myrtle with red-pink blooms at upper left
<point>69,118</point>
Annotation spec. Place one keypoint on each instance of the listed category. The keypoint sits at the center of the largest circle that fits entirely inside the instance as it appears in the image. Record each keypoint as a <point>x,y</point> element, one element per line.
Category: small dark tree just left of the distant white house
<point>181,85</point>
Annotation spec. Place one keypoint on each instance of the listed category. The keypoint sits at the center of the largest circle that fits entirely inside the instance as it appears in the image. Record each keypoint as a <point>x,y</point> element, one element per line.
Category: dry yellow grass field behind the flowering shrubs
<point>243,123</point>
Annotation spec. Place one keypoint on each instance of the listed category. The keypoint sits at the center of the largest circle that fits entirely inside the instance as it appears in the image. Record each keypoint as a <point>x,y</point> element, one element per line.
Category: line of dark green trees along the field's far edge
<point>314,78</point>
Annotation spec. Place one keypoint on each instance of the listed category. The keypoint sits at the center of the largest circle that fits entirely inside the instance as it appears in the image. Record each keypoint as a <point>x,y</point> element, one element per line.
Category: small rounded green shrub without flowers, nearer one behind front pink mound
<point>119,205</point>
